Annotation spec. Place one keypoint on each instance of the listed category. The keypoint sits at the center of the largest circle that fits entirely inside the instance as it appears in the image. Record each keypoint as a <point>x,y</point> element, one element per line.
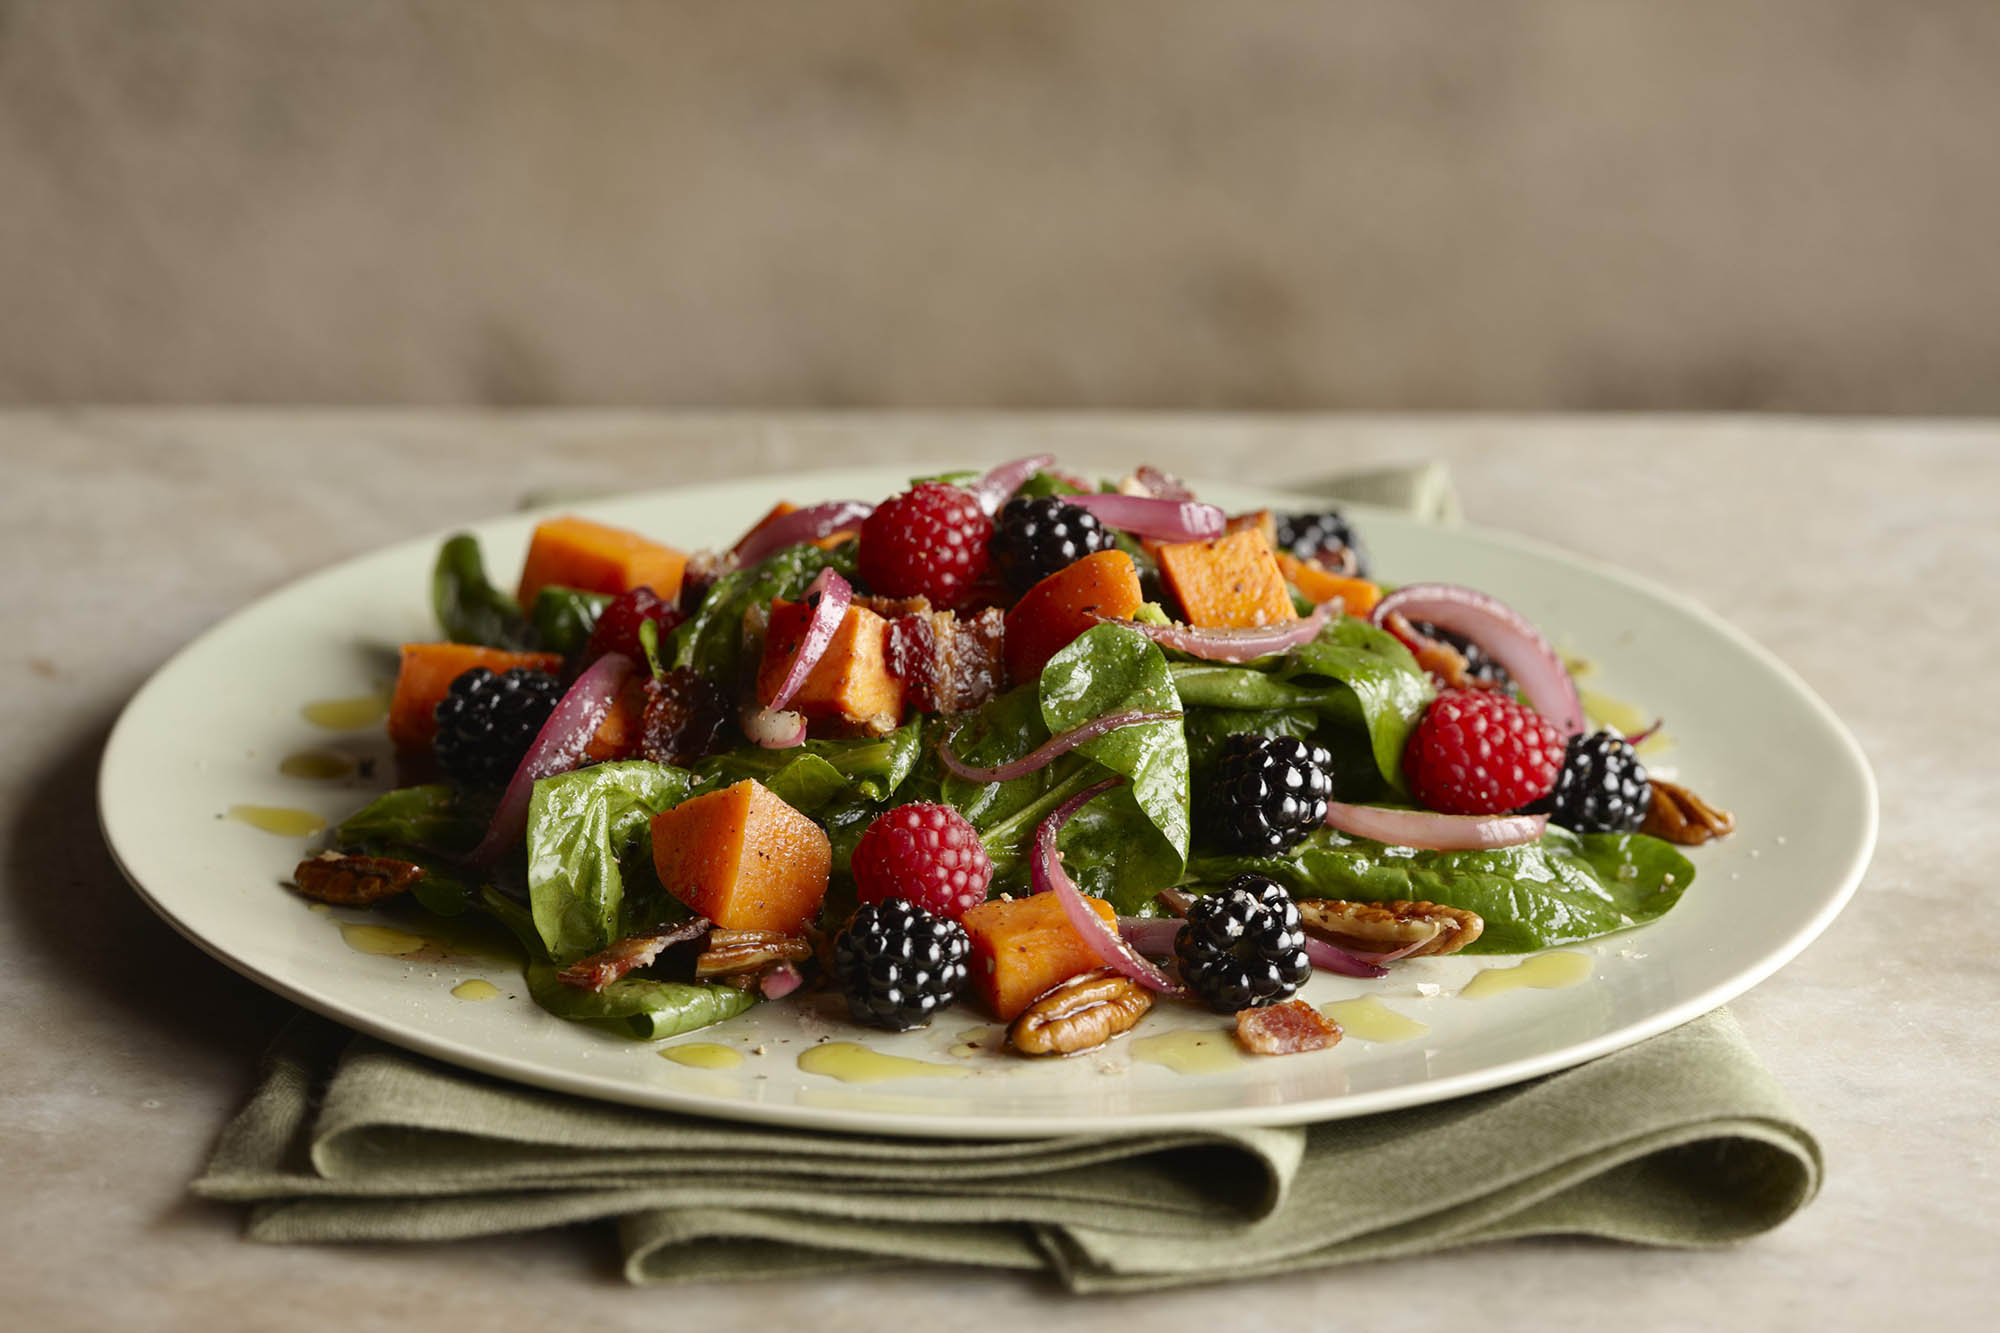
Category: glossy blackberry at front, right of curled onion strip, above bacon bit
<point>1243,948</point>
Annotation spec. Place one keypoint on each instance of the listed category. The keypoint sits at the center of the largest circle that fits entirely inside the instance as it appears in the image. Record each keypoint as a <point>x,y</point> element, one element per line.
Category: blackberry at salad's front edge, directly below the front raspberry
<point>899,966</point>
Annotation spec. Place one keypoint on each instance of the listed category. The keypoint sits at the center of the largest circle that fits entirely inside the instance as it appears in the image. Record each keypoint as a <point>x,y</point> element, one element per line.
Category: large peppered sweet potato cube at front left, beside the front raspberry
<point>745,860</point>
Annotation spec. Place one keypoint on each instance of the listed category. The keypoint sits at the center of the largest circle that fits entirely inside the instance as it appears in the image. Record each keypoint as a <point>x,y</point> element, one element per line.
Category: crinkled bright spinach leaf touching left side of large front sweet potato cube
<point>583,830</point>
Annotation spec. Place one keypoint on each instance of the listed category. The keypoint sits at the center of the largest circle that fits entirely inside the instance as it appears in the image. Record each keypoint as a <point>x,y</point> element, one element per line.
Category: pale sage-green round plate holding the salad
<point>211,730</point>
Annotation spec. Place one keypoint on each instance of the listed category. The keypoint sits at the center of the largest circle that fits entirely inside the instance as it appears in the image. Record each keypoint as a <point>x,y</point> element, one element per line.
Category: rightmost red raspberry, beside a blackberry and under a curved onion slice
<point>1481,754</point>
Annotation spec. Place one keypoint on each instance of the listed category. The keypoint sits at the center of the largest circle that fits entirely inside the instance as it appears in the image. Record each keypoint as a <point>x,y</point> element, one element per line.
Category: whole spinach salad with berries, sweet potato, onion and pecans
<point>1051,748</point>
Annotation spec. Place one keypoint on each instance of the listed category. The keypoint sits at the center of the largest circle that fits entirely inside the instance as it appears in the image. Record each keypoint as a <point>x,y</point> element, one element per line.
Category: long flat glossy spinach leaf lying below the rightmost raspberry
<point>1569,888</point>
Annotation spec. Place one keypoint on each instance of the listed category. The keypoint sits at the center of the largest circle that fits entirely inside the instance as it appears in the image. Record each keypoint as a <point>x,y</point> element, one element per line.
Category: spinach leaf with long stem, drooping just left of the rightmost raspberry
<point>1353,676</point>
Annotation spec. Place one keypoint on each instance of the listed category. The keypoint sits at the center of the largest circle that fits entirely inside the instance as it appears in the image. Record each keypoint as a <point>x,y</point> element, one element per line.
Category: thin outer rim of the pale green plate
<point>831,1120</point>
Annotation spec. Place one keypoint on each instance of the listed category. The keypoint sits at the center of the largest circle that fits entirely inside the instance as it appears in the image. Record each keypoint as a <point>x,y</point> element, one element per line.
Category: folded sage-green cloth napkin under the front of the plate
<point>1683,1140</point>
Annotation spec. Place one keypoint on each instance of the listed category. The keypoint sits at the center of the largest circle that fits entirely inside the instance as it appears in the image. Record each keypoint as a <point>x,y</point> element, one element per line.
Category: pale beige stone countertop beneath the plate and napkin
<point>1867,555</point>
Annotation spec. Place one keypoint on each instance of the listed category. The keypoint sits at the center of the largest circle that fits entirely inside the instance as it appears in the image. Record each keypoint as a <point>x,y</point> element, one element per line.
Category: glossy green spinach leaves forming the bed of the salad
<point>585,876</point>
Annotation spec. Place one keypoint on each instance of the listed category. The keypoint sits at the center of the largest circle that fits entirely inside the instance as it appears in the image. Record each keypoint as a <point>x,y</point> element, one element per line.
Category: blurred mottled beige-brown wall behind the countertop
<point>1071,203</point>
